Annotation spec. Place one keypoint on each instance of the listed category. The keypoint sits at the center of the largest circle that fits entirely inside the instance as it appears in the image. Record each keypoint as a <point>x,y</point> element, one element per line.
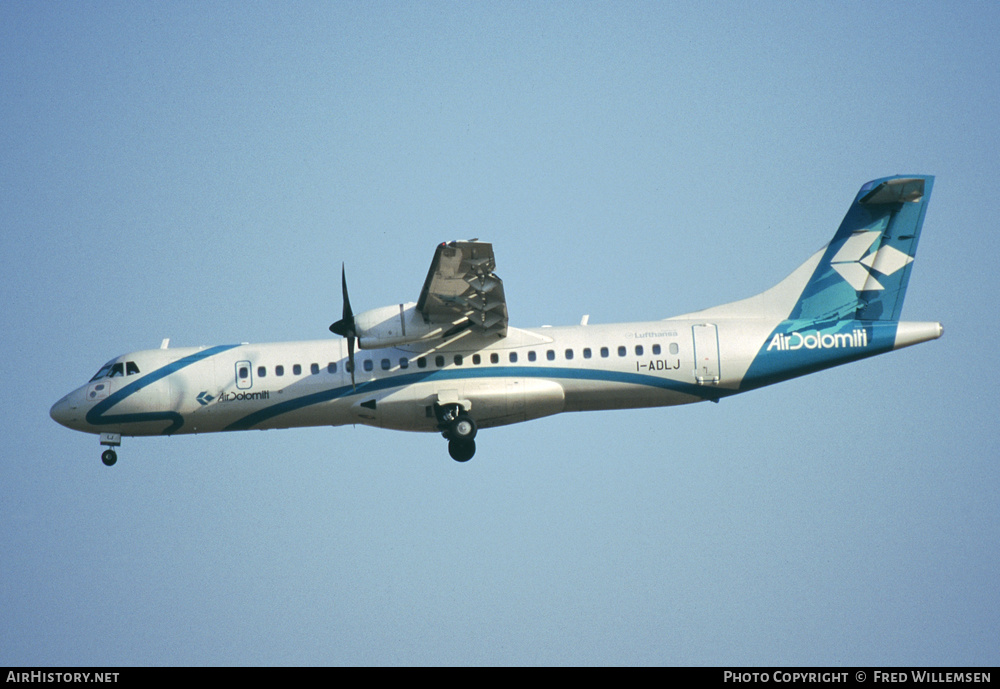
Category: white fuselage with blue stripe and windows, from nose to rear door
<point>528,374</point>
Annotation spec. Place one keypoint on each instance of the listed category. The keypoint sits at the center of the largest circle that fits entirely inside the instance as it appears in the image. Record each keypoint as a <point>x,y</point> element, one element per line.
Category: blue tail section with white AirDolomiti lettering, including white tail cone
<point>849,307</point>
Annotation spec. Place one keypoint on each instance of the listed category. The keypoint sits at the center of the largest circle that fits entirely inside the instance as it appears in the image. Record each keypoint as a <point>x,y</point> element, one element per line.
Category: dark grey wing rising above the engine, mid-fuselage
<point>461,285</point>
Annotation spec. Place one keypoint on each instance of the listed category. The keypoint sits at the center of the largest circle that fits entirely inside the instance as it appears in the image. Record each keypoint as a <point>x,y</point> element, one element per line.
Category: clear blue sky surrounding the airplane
<point>200,171</point>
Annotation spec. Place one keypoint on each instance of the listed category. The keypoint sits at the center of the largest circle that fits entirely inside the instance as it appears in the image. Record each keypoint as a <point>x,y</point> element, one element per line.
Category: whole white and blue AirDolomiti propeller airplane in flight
<point>449,363</point>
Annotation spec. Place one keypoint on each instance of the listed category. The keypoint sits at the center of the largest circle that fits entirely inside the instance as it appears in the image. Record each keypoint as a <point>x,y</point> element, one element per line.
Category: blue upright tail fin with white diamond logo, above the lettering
<point>864,271</point>
